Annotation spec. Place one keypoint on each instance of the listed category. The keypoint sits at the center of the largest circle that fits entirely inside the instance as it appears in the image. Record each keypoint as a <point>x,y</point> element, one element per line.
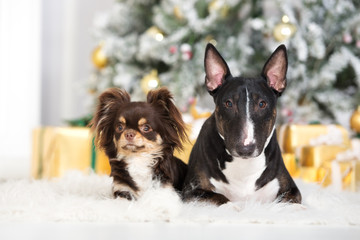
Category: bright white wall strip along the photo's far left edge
<point>20,66</point>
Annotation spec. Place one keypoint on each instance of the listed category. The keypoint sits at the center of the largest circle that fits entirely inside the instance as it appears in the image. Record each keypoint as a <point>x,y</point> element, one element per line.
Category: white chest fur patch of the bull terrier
<point>242,175</point>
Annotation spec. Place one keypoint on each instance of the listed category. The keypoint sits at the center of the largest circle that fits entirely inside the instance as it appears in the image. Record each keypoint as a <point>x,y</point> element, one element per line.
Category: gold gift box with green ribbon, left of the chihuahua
<point>59,149</point>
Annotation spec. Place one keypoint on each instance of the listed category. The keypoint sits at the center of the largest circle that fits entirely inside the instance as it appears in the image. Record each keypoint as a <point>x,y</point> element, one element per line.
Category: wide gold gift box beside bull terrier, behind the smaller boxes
<point>292,136</point>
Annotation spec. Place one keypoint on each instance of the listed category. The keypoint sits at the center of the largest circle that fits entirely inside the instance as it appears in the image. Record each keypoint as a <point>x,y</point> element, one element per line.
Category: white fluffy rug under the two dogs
<point>79,198</point>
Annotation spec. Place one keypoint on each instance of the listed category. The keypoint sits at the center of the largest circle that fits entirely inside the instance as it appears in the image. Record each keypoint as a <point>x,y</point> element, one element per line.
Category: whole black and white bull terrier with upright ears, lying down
<point>240,133</point>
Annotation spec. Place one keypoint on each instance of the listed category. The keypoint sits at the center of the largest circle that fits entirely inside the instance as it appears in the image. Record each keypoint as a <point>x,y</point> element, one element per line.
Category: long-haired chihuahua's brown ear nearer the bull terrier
<point>174,125</point>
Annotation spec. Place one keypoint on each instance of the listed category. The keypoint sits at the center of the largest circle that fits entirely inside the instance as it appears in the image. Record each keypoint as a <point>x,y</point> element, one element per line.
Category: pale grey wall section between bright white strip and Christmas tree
<point>67,47</point>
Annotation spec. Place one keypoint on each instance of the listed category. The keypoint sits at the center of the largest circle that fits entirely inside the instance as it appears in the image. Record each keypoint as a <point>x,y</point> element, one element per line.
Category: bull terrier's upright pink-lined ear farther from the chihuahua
<point>275,69</point>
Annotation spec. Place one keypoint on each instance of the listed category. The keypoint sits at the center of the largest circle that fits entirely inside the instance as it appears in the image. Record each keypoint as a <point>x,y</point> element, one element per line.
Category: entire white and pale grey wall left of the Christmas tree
<point>45,48</point>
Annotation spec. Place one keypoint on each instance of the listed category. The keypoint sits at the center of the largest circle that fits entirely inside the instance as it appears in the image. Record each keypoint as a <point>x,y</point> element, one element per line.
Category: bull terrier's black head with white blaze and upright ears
<point>246,110</point>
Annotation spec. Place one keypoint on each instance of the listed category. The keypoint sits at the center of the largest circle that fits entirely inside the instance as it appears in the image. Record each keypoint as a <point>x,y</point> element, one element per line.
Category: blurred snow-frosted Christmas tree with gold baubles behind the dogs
<point>147,43</point>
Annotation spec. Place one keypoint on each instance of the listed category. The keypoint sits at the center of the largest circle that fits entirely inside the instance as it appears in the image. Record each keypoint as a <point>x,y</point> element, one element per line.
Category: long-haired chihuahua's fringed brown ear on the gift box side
<point>102,123</point>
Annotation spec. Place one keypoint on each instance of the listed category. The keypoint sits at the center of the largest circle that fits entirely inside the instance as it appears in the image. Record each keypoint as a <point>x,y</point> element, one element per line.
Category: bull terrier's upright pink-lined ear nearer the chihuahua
<point>216,68</point>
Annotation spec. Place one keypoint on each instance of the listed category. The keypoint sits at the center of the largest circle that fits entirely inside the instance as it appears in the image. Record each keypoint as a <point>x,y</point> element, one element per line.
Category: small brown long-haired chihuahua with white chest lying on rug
<point>140,138</point>
